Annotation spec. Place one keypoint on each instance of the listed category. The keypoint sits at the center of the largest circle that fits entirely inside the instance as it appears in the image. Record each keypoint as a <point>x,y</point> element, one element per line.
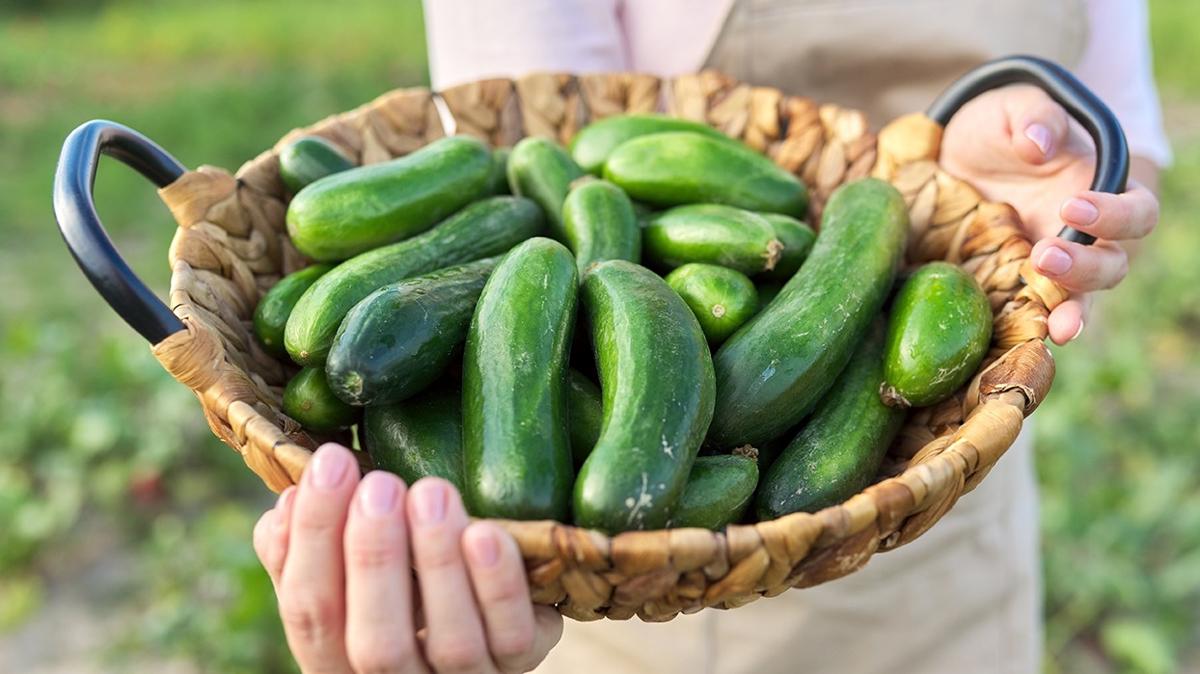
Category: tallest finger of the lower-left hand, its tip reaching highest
<point>313,585</point>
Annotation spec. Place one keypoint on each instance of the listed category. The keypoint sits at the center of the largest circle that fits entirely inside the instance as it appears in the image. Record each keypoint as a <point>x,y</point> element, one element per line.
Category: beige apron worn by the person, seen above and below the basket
<point>965,598</point>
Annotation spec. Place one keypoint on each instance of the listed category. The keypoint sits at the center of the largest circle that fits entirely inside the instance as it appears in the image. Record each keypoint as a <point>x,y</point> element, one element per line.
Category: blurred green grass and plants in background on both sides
<point>93,430</point>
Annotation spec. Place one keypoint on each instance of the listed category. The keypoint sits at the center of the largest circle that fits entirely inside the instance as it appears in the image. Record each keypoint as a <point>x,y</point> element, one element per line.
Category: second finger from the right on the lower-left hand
<point>455,641</point>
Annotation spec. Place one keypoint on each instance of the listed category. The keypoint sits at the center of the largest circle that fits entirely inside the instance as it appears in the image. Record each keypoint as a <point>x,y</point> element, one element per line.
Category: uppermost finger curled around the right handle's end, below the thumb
<point>1117,218</point>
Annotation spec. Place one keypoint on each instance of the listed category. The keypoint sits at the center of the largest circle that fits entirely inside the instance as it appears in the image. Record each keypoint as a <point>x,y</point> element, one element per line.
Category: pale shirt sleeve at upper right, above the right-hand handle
<point>1117,65</point>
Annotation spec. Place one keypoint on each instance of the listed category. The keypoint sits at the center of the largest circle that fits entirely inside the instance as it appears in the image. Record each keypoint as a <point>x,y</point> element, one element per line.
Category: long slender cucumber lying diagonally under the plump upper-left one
<point>487,228</point>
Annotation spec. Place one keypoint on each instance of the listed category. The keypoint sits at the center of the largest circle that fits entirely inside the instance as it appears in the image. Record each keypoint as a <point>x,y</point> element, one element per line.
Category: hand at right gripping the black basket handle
<point>1017,146</point>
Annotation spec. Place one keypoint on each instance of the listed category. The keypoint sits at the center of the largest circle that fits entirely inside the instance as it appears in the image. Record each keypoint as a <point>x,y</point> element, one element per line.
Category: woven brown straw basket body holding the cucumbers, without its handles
<point>232,246</point>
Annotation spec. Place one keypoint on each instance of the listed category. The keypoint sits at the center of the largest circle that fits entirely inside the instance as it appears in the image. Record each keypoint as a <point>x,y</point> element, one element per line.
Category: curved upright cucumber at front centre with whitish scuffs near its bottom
<point>657,382</point>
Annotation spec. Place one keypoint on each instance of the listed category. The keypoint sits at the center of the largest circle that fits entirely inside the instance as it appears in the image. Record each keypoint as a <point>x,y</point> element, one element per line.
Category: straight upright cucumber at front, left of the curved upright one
<point>515,395</point>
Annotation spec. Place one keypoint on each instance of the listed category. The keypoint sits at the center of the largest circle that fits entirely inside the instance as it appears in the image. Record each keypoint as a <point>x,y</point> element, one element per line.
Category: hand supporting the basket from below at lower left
<point>343,555</point>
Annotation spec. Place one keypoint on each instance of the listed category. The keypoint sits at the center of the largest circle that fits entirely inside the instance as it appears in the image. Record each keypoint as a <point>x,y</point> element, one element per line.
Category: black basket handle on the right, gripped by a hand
<point>1112,151</point>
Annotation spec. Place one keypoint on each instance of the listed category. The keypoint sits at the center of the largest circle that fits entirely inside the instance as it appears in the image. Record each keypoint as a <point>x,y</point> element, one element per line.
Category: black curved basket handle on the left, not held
<point>75,209</point>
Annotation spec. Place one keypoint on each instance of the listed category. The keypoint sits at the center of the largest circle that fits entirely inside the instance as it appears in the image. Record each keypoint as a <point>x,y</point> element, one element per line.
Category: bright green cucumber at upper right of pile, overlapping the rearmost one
<point>688,168</point>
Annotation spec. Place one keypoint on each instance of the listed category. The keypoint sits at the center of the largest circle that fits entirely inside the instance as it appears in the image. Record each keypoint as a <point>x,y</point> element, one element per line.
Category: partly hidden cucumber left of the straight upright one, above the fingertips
<point>418,438</point>
